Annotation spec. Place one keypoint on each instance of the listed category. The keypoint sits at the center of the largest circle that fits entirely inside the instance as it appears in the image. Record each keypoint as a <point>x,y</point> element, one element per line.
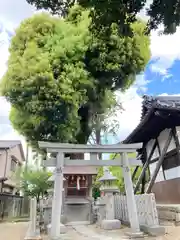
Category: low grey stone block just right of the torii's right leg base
<point>154,230</point>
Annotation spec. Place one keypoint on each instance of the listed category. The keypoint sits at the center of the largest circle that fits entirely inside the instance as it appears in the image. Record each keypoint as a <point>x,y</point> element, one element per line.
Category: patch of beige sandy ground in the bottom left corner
<point>13,231</point>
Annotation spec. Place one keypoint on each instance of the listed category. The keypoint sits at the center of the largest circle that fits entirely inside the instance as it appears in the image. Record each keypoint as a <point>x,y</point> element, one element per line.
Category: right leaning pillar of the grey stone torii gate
<point>131,202</point>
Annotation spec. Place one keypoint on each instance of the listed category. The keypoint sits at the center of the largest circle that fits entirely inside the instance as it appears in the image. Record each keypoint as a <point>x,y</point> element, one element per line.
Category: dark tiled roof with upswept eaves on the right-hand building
<point>158,113</point>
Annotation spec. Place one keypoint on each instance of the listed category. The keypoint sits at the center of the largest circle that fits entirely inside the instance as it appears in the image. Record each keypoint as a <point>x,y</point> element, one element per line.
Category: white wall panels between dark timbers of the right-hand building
<point>170,173</point>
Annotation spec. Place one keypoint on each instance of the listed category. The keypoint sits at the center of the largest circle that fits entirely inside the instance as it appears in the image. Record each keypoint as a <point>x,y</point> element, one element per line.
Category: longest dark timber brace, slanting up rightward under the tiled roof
<point>159,163</point>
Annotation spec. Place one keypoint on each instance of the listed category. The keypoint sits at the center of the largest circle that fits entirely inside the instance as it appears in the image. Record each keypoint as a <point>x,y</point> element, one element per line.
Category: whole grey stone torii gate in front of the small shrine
<point>59,162</point>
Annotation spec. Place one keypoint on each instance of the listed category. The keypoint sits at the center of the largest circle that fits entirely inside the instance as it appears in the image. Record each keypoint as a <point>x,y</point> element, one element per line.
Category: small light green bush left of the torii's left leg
<point>33,182</point>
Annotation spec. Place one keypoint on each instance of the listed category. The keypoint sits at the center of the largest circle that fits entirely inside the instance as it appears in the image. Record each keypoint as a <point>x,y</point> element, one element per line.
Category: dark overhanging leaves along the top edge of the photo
<point>122,12</point>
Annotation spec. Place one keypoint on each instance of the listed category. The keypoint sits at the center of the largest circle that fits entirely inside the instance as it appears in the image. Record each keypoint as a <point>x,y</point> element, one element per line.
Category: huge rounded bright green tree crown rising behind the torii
<point>60,76</point>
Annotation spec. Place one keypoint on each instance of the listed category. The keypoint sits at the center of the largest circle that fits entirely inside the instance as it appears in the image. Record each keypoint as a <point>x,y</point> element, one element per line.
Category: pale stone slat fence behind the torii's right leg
<point>146,207</point>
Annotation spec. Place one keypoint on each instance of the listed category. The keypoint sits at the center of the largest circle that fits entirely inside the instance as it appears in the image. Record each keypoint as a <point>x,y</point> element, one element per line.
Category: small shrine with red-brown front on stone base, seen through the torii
<point>77,195</point>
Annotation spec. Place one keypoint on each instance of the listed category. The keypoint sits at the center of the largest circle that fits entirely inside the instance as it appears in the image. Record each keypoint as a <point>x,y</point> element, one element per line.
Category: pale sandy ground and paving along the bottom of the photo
<point>17,231</point>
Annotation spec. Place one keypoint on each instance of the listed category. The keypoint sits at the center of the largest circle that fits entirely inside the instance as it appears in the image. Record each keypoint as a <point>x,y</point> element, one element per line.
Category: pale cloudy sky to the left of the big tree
<point>11,14</point>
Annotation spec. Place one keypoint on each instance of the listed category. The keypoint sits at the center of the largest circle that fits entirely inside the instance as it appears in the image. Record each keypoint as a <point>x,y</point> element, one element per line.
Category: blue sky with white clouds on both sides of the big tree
<point>161,75</point>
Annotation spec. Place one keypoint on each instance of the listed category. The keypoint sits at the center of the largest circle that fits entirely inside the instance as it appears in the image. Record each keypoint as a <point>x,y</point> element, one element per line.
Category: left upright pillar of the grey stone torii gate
<point>57,197</point>
